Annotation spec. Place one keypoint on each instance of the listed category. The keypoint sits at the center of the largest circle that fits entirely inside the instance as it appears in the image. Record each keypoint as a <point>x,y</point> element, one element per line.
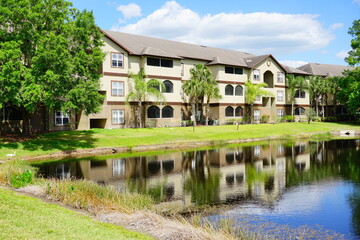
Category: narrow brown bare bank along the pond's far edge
<point>184,145</point>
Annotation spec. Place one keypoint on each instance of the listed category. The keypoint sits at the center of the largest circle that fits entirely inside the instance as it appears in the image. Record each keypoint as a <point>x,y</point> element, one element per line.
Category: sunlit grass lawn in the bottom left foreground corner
<point>23,217</point>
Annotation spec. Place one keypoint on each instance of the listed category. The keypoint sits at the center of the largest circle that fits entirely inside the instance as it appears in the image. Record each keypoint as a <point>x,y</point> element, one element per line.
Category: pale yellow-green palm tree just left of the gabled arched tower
<point>253,91</point>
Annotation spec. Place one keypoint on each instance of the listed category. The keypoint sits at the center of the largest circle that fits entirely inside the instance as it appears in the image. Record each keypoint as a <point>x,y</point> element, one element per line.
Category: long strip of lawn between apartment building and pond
<point>71,140</point>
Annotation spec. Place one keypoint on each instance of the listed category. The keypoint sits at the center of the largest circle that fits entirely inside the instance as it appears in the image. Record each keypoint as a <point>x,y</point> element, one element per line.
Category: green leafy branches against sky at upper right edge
<point>354,55</point>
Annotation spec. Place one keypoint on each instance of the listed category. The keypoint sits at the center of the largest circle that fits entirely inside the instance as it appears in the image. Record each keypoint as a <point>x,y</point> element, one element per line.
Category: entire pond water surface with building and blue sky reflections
<point>293,183</point>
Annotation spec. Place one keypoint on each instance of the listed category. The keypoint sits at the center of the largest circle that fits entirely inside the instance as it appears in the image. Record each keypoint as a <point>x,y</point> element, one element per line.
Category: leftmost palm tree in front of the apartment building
<point>142,90</point>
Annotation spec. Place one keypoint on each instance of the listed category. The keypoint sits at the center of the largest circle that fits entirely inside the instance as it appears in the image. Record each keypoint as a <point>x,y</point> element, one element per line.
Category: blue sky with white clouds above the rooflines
<point>295,32</point>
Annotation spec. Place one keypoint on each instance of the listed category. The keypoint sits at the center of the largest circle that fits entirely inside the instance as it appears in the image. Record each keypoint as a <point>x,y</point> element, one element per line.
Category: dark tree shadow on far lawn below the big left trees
<point>61,141</point>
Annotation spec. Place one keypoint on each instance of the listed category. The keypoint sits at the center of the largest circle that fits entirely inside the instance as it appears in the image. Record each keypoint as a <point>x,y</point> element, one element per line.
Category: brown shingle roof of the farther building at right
<point>325,70</point>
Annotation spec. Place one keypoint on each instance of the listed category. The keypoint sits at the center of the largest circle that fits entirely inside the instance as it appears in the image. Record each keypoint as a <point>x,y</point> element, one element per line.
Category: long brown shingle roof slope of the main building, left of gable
<point>141,45</point>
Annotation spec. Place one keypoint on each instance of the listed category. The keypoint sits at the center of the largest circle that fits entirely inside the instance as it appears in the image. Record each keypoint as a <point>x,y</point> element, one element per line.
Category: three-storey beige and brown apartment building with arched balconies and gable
<point>170,62</point>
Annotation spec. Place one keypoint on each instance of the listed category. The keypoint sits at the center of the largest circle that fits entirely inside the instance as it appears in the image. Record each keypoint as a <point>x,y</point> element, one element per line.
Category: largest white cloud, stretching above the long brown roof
<point>258,33</point>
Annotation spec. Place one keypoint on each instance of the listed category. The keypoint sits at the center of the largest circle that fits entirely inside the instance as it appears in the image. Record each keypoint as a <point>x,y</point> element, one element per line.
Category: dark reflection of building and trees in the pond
<point>259,173</point>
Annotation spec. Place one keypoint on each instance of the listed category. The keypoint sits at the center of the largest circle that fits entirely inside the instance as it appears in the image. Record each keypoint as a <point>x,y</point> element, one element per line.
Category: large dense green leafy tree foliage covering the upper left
<point>50,54</point>
